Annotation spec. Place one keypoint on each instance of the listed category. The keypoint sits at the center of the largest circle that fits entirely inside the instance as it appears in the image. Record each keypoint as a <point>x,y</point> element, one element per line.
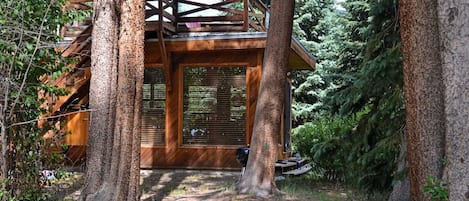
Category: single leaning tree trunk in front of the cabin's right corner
<point>260,169</point>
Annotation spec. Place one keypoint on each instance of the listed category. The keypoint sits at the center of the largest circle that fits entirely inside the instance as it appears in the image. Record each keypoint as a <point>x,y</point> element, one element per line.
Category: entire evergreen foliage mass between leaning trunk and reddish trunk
<point>355,95</point>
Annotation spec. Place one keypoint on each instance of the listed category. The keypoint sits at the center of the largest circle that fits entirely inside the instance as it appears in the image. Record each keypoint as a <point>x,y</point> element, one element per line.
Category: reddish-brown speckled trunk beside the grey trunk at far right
<point>424,94</point>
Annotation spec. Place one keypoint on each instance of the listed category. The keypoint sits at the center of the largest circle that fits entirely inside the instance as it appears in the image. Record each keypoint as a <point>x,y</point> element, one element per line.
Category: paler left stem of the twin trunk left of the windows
<point>102,95</point>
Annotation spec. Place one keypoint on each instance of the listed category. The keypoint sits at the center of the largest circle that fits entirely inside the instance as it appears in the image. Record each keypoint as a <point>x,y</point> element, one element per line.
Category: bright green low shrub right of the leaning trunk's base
<point>325,142</point>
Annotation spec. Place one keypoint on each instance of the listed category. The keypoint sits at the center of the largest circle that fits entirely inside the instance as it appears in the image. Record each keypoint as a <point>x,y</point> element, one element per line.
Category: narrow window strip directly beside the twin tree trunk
<point>153,113</point>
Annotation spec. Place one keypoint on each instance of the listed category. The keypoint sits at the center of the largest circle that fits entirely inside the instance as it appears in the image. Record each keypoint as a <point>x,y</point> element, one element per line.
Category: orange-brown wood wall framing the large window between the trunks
<point>174,154</point>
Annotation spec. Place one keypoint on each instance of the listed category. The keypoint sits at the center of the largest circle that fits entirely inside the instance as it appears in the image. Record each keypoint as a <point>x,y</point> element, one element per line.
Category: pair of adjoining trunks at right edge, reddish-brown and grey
<point>436,56</point>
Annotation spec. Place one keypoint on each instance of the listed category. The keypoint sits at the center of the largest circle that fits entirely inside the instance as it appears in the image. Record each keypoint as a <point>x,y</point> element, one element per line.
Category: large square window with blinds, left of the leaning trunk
<point>214,106</point>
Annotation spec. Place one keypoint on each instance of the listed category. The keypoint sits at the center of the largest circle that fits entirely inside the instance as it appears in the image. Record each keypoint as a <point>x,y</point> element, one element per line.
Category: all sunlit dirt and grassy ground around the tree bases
<point>198,185</point>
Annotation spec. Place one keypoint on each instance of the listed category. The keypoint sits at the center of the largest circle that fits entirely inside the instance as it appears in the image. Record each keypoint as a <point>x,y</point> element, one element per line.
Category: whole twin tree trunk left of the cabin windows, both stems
<point>116,95</point>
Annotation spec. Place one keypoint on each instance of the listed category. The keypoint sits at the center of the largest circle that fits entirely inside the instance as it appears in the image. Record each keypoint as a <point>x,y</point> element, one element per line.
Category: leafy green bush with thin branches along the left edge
<point>28,37</point>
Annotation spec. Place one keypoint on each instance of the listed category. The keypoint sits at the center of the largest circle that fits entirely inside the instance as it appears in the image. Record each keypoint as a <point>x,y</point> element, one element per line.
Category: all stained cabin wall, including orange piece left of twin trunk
<point>174,154</point>
